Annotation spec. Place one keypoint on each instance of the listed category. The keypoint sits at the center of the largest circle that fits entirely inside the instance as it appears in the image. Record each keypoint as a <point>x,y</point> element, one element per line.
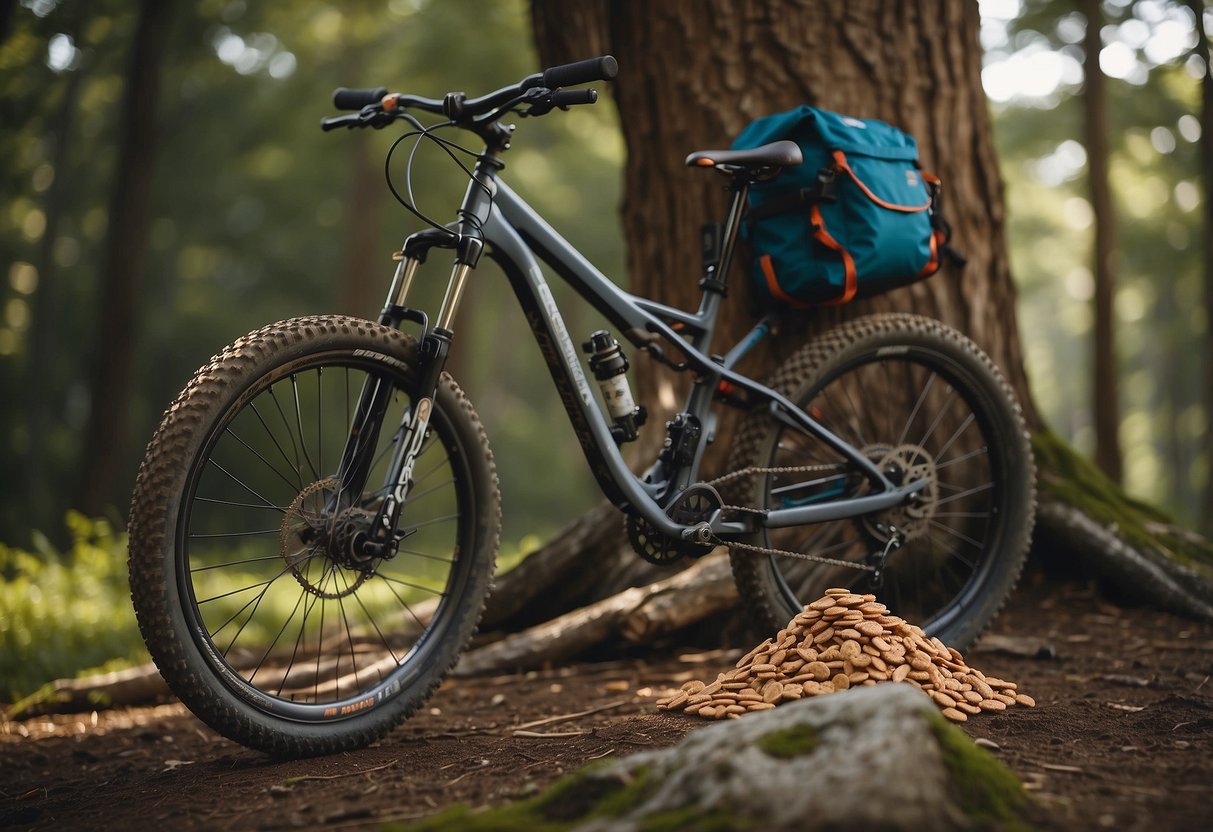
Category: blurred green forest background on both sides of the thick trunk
<point>255,215</point>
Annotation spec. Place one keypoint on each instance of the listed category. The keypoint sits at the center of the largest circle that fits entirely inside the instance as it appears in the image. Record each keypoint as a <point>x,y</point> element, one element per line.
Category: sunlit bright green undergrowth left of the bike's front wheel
<point>64,613</point>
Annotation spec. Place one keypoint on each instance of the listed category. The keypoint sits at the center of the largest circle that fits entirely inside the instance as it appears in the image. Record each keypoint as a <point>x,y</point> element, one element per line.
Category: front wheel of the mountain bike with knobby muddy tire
<point>261,613</point>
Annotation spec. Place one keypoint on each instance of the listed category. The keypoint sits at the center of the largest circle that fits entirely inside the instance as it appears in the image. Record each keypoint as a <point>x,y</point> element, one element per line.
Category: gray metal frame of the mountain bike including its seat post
<point>516,235</point>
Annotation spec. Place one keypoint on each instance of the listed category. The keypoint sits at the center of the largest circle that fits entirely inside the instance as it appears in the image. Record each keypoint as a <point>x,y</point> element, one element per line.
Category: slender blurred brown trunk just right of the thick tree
<point>1106,400</point>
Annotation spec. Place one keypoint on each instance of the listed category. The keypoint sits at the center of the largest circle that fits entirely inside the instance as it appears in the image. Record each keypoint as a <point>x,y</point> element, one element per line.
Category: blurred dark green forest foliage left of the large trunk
<point>254,213</point>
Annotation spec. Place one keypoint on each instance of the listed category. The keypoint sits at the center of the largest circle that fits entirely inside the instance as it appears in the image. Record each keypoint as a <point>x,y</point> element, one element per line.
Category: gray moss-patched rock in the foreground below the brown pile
<point>868,759</point>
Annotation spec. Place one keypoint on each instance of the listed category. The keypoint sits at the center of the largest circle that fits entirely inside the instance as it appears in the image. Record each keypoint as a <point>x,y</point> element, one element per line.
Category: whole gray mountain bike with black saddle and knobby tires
<point>315,526</point>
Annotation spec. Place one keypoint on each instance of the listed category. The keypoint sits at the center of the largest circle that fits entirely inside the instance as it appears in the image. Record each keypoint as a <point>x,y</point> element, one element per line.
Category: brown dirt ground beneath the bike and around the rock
<point>1121,738</point>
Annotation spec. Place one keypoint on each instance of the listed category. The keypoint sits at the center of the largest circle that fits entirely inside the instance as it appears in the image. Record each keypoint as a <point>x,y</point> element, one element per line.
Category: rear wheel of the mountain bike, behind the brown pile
<point>922,403</point>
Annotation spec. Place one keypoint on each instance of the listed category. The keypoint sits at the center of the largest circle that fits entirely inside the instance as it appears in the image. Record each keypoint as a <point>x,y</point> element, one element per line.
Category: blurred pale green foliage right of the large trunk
<point>1158,197</point>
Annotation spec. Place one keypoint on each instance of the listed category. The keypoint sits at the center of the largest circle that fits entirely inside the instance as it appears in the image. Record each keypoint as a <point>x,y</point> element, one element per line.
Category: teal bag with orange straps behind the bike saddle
<point>858,218</point>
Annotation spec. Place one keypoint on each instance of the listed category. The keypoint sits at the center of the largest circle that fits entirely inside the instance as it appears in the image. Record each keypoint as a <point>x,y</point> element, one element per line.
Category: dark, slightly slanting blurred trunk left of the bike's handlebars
<point>105,447</point>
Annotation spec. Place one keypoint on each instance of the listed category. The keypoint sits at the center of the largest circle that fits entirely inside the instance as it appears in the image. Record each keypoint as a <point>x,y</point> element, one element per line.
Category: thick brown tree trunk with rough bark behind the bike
<point>693,75</point>
